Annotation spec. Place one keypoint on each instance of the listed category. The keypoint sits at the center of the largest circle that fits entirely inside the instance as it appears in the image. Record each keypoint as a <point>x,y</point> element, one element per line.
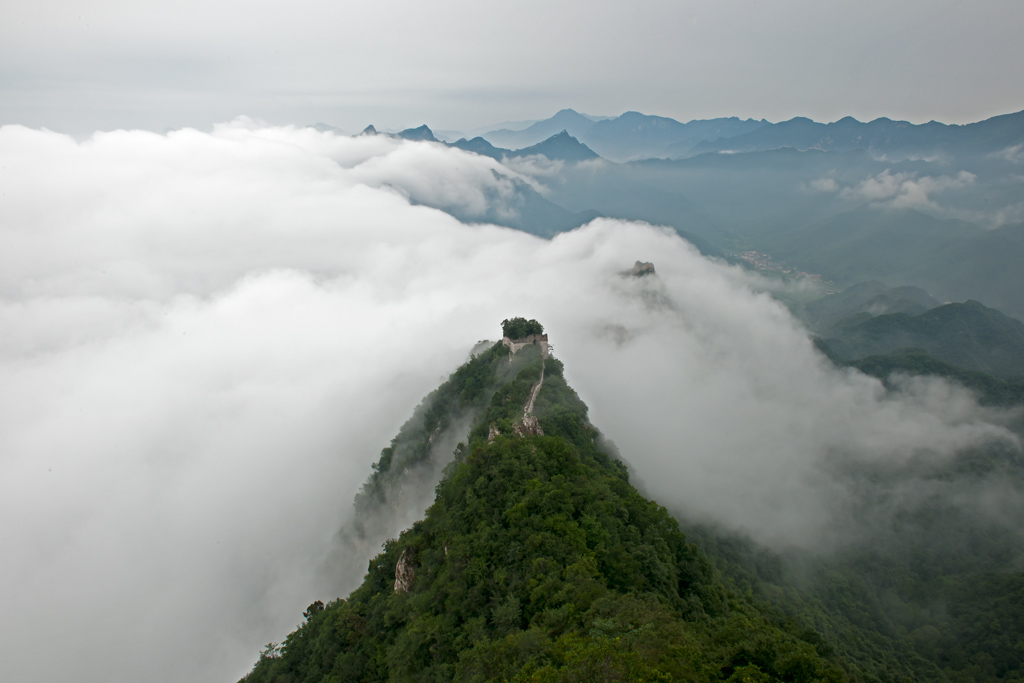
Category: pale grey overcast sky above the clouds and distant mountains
<point>75,66</point>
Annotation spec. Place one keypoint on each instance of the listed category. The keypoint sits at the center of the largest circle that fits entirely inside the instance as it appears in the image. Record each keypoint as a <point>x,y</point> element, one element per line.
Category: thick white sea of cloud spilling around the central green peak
<point>208,338</point>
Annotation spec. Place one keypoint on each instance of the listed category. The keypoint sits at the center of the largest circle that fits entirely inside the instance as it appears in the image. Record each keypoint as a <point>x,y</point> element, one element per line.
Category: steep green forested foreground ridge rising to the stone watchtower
<point>539,562</point>
